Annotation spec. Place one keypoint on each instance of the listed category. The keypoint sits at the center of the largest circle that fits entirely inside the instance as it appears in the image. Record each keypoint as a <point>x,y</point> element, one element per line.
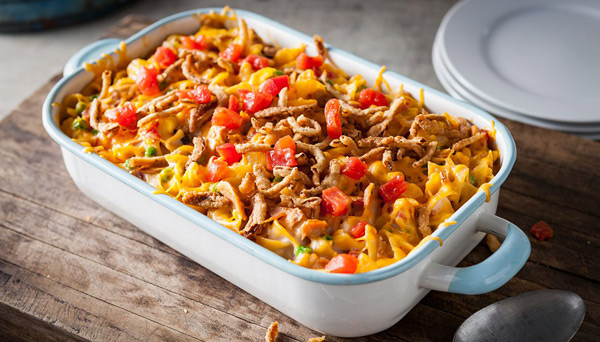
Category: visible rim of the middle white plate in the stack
<point>448,79</point>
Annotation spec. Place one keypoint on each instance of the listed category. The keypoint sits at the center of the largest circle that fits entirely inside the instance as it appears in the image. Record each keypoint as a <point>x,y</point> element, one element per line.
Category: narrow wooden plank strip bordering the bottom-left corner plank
<point>133,295</point>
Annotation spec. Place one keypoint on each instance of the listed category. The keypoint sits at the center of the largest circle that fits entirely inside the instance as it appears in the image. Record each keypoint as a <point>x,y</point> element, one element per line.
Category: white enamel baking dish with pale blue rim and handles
<point>335,304</point>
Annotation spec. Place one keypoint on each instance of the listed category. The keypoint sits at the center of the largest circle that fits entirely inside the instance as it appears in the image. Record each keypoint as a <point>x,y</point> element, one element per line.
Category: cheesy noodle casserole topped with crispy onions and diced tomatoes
<point>281,146</point>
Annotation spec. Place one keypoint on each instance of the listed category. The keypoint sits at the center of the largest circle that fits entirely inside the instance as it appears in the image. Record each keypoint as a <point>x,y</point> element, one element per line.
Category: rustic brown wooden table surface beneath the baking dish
<point>70,270</point>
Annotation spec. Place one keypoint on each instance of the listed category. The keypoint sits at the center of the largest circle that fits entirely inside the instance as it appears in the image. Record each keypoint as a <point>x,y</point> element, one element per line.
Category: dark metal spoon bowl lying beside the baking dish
<point>545,315</point>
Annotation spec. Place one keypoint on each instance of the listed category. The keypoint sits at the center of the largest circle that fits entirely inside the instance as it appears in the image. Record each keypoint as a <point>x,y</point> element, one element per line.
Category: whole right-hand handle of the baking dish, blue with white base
<point>489,274</point>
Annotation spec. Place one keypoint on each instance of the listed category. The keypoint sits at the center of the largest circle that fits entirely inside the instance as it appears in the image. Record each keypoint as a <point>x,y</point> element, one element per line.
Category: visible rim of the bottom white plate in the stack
<point>457,91</point>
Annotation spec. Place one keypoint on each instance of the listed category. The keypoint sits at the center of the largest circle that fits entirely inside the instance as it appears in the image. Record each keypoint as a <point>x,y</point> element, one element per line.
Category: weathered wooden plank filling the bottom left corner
<point>39,297</point>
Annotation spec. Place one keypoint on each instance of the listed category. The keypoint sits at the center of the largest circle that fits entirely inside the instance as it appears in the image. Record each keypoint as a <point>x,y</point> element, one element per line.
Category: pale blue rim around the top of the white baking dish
<point>252,248</point>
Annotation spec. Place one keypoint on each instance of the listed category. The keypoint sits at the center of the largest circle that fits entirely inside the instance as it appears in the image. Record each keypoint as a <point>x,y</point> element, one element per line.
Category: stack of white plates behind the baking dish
<point>533,61</point>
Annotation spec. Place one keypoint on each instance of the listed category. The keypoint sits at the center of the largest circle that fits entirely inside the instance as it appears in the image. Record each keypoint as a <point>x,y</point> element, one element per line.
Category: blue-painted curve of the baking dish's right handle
<point>497,269</point>
